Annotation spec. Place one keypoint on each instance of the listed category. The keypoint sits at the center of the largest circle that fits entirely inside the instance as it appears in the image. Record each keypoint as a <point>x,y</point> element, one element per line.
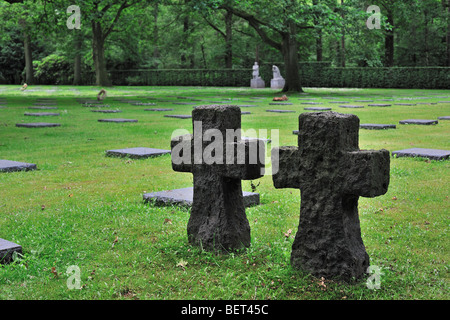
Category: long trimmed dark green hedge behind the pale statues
<point>312,75</point>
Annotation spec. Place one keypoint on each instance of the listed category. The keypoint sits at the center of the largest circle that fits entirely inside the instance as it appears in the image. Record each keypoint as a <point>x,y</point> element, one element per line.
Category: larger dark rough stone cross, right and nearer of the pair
<point>332,173</point>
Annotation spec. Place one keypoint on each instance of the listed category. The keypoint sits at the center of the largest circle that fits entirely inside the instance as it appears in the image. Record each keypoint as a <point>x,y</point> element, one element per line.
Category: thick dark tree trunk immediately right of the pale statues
<point>290,56</point>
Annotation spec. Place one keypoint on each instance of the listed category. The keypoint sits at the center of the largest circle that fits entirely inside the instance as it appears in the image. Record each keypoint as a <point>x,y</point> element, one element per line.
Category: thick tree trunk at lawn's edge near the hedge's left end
<point>98,54</point>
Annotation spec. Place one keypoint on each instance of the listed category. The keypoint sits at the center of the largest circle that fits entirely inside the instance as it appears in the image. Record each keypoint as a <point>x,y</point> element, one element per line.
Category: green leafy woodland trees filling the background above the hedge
<point>231,34</point>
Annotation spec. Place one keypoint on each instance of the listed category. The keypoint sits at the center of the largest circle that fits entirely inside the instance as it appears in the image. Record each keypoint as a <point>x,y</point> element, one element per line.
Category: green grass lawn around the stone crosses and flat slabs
<point>81,208</point>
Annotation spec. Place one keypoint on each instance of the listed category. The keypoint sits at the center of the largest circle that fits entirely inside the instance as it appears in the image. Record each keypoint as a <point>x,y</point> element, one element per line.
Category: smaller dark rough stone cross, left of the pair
<point>218,220</point>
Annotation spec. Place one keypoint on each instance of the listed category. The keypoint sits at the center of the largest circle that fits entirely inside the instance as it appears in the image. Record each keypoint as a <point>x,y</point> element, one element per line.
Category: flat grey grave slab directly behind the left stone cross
<point>184,197</point>
